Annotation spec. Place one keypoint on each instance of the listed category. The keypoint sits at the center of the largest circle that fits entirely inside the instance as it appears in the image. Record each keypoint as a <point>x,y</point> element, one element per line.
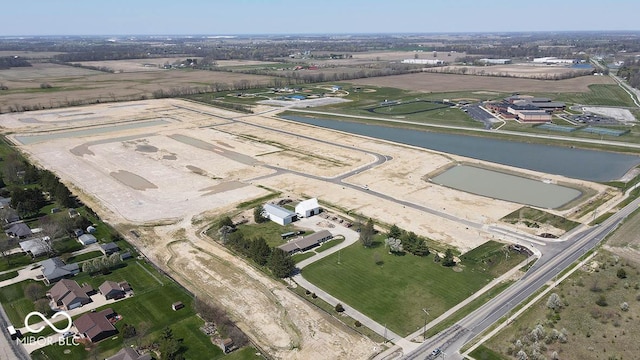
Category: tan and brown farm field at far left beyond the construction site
<point>74,86</point>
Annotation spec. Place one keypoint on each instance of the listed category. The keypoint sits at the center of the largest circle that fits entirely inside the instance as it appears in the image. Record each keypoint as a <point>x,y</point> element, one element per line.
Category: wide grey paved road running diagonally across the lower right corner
<point>556,257</point>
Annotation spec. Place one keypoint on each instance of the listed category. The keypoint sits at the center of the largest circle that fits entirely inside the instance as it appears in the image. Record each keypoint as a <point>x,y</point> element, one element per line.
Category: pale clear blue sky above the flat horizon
<point>222,17</point>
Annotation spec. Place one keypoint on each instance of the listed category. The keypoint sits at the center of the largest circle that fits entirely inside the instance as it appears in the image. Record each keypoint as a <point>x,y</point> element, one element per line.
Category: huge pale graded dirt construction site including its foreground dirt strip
<point>166,168</point>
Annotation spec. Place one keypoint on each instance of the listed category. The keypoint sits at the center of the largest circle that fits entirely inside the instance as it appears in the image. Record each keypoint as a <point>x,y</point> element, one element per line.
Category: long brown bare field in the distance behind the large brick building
<point>448,82</point>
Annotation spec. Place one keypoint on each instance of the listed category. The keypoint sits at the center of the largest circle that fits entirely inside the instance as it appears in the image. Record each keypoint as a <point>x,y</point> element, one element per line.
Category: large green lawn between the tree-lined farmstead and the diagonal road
<point>394,289</point>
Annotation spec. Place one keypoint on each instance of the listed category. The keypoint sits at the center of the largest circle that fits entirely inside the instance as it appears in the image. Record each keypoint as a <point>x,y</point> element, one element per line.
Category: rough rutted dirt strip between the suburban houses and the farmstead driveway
<point>277,320</point>
